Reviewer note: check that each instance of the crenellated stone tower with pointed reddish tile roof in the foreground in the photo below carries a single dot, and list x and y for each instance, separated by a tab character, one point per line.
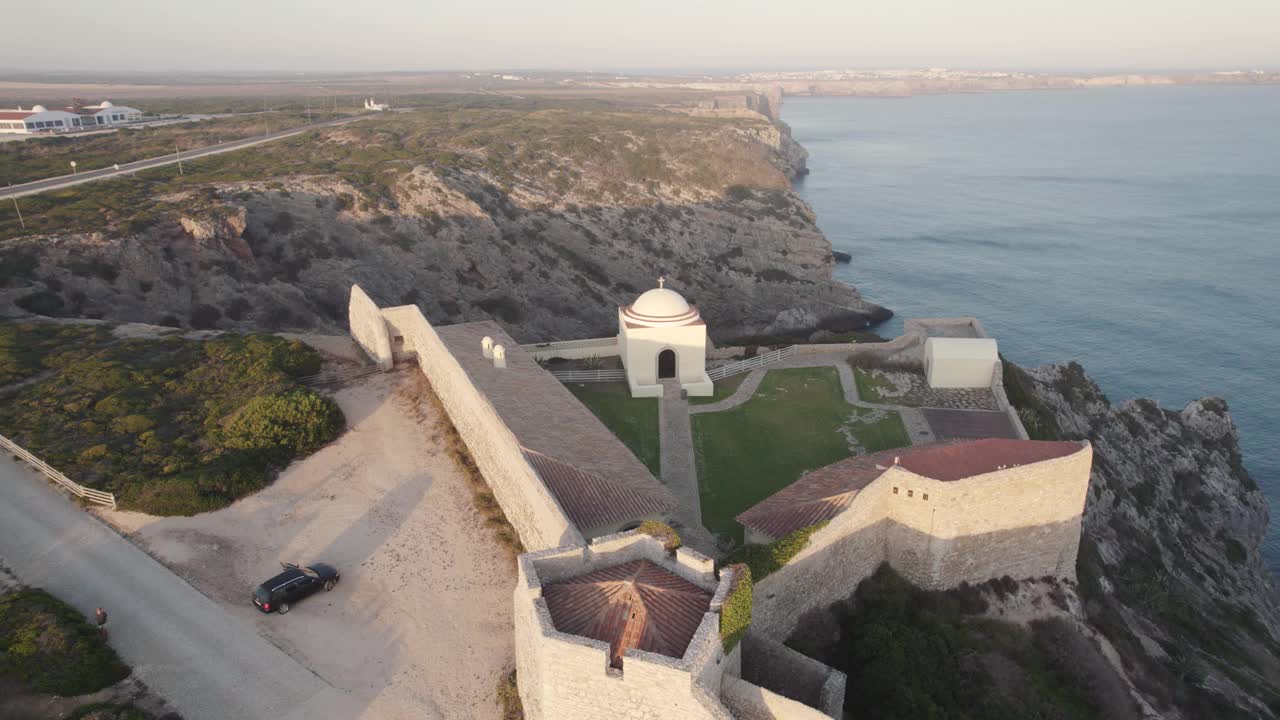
623	630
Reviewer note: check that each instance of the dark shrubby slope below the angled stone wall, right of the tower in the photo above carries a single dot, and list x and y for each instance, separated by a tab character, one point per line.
913	654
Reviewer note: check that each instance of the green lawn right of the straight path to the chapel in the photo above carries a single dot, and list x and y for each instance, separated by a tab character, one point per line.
790	426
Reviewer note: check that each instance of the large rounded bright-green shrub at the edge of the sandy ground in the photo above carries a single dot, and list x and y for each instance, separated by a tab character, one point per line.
294	423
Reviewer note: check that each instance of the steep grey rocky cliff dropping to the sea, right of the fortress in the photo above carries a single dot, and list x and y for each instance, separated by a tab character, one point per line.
1171	566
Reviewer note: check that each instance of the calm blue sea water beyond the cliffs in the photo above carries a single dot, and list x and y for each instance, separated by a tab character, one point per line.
1133	230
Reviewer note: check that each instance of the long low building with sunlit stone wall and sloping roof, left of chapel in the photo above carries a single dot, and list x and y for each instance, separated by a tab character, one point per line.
559	473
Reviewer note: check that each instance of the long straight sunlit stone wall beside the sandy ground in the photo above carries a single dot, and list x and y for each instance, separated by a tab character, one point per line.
532	509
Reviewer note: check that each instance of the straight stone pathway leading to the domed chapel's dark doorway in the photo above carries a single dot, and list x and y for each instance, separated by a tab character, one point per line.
680	468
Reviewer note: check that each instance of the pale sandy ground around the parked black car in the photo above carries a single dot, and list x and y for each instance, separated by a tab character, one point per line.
420	625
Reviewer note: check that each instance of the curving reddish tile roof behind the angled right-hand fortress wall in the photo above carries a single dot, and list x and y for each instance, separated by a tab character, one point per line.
824	494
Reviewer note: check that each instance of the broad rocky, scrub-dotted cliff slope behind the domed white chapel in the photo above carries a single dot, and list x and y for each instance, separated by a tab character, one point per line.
548	236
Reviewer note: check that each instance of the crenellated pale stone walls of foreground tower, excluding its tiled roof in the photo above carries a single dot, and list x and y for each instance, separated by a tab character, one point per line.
568	677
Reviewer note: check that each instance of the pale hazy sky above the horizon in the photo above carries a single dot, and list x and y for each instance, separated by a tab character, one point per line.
639	35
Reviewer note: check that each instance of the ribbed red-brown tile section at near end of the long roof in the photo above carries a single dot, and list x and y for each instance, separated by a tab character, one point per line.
593	502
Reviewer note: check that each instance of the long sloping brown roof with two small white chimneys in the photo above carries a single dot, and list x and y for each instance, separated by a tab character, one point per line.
546	418
